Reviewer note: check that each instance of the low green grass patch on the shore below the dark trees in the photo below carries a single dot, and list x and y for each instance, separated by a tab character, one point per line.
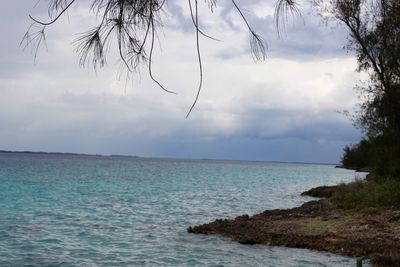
361	194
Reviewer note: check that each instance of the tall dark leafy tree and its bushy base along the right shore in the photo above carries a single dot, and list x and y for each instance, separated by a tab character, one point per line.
374	28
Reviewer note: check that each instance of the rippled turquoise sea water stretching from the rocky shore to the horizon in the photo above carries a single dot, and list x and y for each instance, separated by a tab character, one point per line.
116	211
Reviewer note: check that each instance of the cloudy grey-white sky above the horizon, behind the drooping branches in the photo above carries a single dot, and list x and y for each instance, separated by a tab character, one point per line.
283	109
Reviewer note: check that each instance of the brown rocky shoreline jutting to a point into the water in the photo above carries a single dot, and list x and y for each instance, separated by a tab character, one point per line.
318	225
